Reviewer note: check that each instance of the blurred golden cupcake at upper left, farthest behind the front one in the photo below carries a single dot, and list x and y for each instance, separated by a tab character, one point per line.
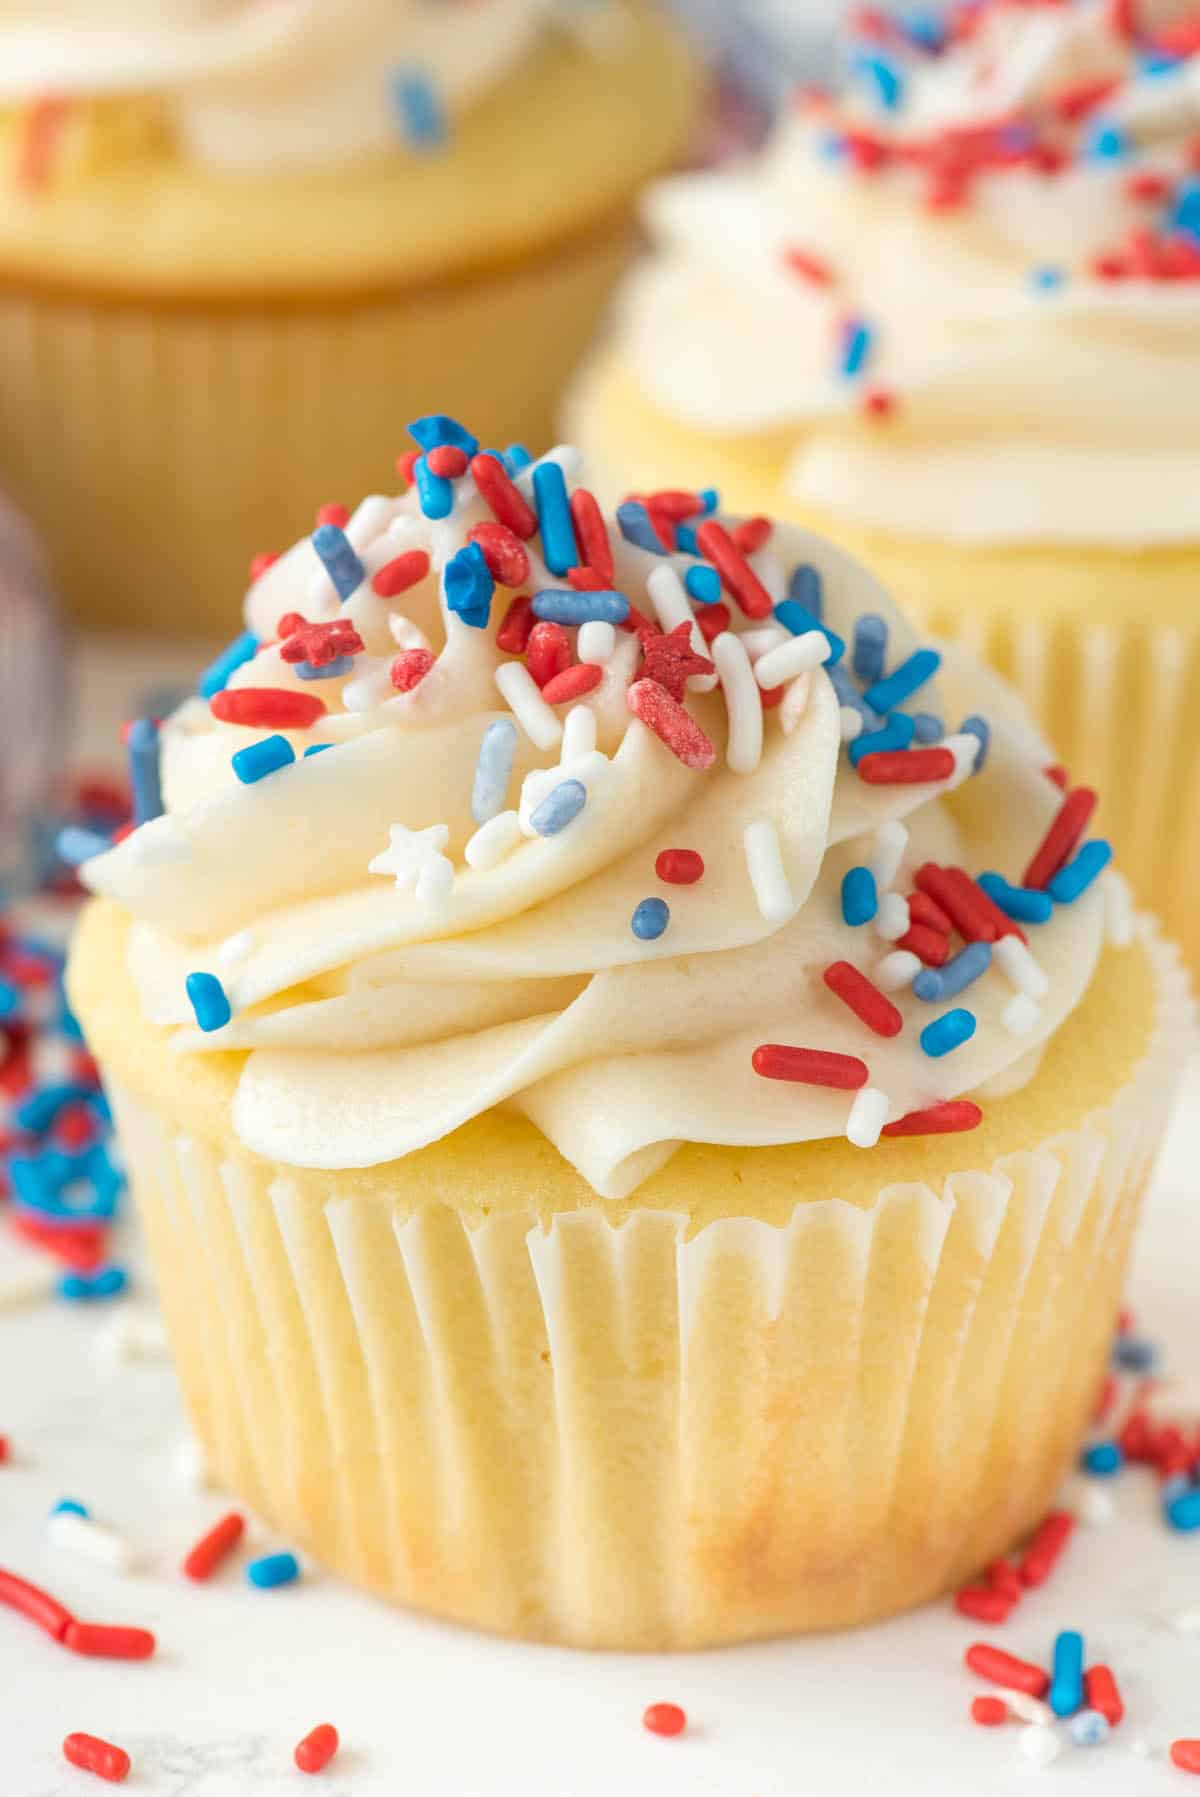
242	243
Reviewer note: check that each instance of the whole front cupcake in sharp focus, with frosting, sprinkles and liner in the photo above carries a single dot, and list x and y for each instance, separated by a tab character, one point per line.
637	1081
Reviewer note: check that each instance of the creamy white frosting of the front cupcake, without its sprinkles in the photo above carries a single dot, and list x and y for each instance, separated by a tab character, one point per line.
378	1020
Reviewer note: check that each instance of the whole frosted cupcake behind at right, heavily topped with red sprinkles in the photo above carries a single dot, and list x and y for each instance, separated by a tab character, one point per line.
953	321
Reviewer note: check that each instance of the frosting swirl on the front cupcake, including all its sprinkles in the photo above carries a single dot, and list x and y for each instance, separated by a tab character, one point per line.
655	828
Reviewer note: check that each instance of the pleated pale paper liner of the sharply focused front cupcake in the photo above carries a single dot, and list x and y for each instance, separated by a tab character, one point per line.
624	1437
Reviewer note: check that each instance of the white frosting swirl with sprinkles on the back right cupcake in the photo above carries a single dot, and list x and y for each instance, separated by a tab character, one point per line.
1041	387
